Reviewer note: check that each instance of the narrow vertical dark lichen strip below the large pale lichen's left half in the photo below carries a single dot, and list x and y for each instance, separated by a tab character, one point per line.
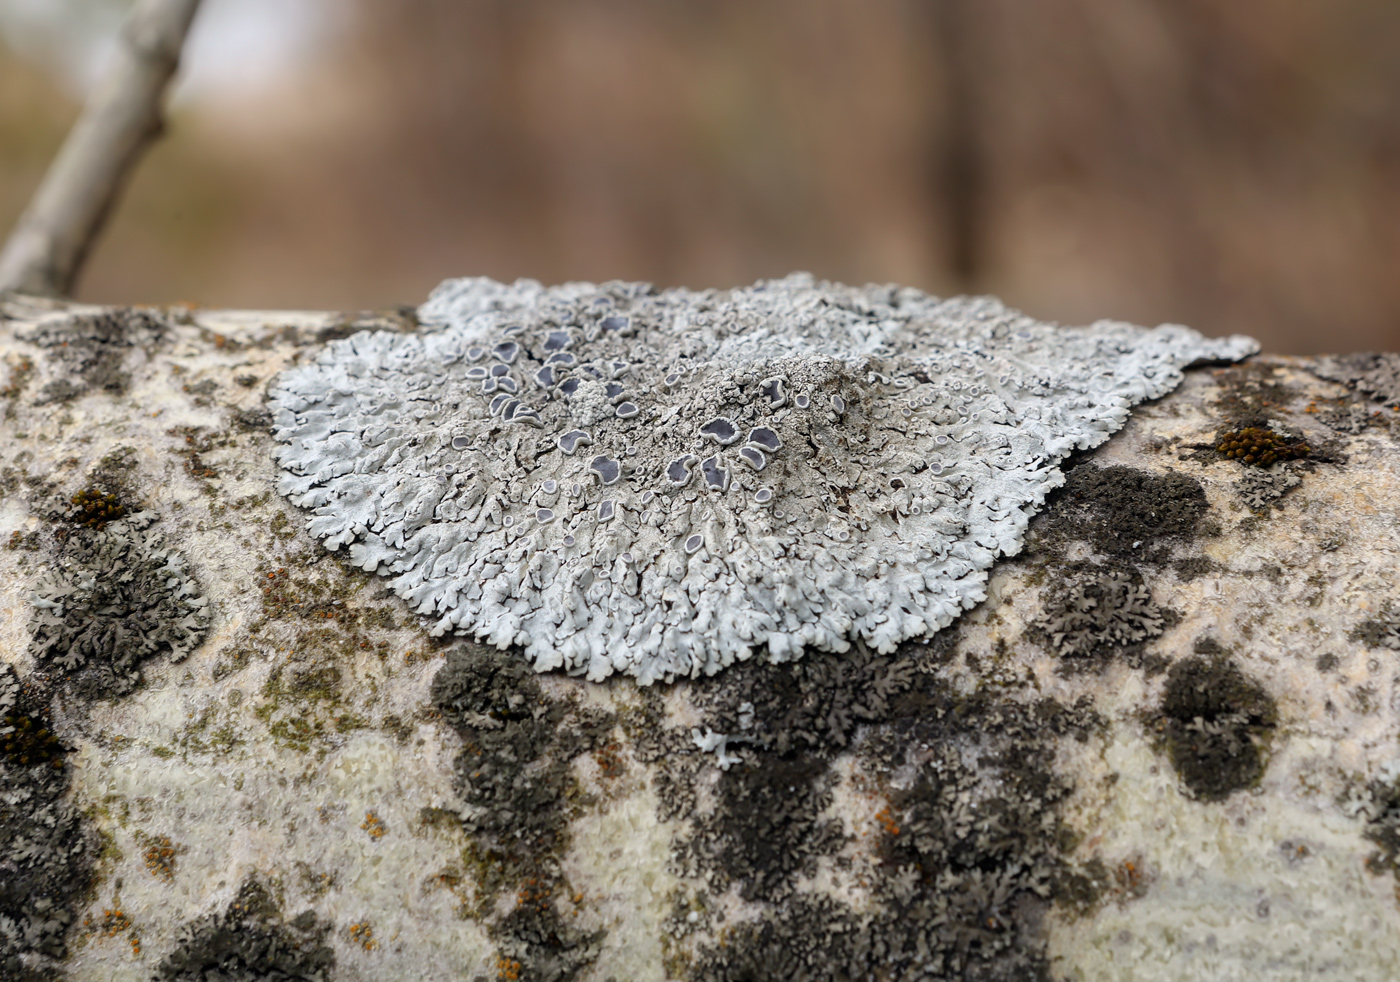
514	774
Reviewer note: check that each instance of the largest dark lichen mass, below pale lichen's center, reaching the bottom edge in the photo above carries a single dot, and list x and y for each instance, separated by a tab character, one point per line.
969	837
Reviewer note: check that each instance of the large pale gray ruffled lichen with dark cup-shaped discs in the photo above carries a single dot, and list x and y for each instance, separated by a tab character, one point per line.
618	480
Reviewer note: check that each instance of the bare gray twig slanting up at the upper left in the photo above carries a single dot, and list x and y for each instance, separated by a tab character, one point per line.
124	116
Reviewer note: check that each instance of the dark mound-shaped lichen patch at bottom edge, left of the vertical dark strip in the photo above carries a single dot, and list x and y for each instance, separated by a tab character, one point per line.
250	942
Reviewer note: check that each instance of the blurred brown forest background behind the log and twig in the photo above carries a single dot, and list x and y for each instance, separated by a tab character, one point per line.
1230	165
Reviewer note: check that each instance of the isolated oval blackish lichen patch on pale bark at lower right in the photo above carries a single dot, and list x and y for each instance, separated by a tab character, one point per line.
1217	725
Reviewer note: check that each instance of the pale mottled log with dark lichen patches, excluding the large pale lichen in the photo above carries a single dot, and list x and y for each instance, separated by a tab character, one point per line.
1165	746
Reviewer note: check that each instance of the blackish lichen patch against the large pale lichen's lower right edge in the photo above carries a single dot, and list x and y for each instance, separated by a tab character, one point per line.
1123	512
